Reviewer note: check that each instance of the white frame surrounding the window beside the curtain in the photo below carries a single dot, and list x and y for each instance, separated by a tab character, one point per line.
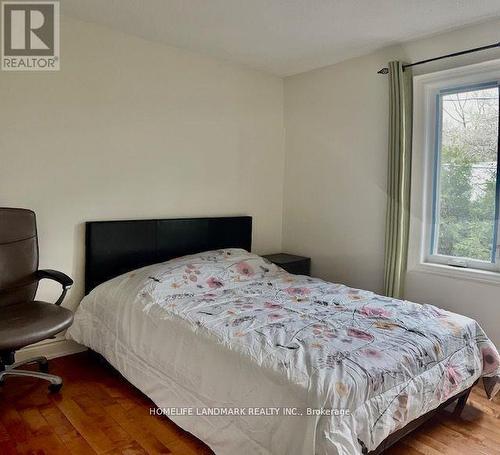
425	90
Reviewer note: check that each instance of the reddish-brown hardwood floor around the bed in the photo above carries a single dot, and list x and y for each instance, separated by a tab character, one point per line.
98	411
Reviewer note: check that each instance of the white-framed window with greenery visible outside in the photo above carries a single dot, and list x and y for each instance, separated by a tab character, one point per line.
455	195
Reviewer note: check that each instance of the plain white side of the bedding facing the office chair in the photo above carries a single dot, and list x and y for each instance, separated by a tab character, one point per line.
178	368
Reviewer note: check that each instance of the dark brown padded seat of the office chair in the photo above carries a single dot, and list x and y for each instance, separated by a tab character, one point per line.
26	323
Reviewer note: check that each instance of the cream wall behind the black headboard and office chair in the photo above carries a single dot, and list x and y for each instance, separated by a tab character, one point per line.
134	129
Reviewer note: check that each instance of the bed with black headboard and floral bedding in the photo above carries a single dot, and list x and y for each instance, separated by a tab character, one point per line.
254	360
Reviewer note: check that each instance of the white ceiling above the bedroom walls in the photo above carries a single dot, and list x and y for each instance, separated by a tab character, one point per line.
282	37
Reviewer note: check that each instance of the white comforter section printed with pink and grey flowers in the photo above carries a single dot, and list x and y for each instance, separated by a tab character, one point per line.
381	362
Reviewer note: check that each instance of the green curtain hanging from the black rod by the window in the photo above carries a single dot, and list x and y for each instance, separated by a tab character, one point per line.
398	180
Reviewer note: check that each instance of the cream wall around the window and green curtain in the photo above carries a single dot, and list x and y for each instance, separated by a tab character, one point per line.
336	122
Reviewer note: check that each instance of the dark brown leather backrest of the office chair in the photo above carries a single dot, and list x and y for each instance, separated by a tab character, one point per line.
18	256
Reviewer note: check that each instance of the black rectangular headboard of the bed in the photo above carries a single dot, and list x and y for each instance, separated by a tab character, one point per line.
116	247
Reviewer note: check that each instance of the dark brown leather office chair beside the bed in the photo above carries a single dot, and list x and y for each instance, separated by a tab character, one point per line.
23	320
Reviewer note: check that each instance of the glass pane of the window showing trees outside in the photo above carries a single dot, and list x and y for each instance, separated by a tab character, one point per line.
466	174
